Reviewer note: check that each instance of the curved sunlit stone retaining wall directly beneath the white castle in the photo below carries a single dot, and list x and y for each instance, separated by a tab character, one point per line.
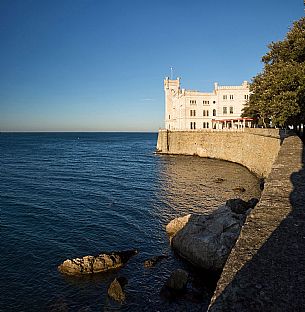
255	149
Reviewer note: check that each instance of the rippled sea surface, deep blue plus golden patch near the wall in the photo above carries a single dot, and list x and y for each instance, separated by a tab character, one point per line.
66	195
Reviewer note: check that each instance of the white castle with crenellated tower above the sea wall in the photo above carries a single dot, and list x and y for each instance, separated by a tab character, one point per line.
191	110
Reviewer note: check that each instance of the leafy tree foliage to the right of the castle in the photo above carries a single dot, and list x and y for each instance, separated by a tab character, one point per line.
278	93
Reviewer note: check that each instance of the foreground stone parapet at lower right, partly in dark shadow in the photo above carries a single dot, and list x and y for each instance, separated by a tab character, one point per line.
271	275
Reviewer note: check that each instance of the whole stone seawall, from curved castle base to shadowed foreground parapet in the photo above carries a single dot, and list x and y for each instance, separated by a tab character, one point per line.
265	269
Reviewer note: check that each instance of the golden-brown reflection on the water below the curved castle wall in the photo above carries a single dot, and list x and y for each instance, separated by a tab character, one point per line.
191	184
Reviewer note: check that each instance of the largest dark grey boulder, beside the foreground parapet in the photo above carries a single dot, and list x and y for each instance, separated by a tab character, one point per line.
206	240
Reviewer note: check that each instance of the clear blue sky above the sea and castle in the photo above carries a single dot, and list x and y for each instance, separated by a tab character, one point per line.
98	65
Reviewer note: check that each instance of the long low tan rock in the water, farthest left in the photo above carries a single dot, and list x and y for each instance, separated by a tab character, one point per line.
96	264
